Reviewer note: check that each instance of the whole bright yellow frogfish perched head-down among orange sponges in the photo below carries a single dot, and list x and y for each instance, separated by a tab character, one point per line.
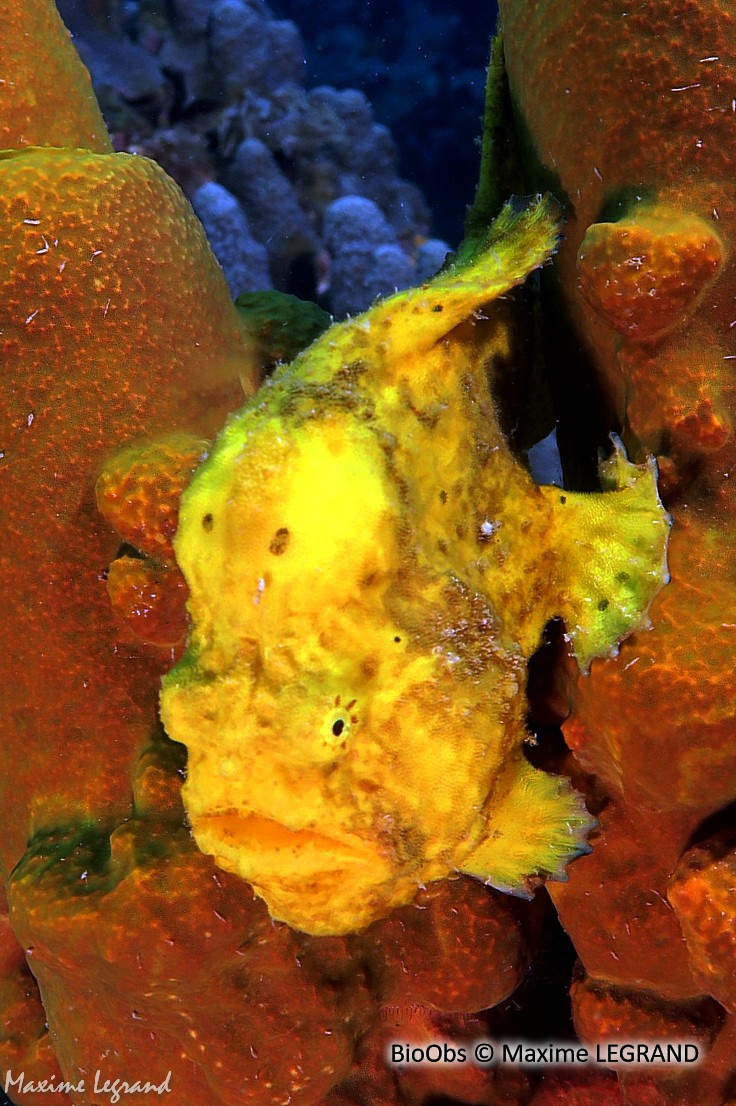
370	571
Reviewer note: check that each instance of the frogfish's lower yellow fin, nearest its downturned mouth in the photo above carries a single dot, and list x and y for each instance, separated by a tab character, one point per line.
536	830
